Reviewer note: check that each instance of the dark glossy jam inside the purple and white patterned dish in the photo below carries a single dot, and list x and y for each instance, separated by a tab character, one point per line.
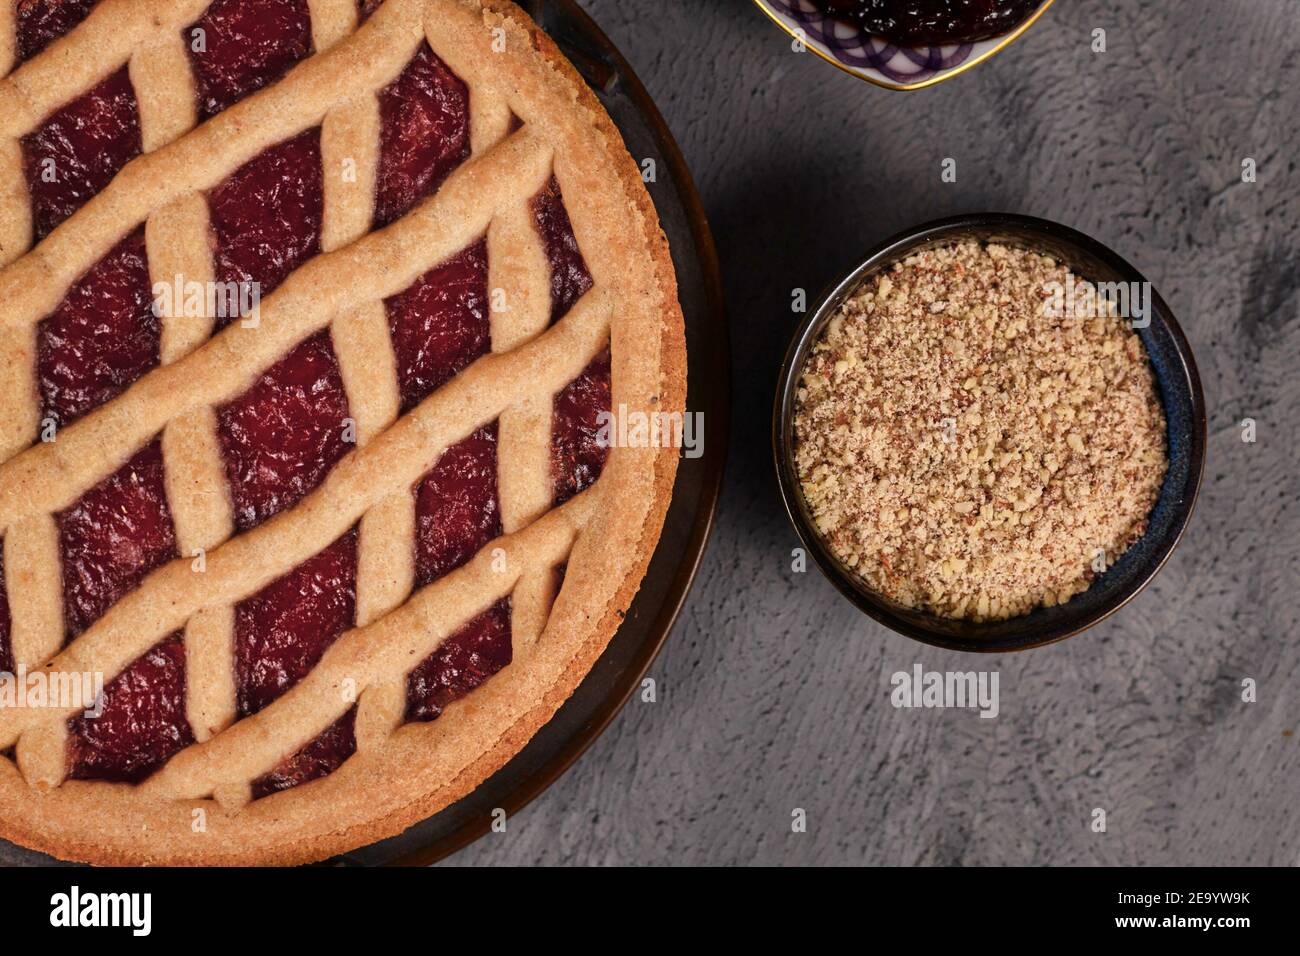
924	23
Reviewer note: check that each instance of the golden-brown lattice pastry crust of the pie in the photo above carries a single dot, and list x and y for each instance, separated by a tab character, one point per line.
530	118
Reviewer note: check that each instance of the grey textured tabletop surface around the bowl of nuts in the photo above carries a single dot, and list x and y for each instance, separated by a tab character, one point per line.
774	693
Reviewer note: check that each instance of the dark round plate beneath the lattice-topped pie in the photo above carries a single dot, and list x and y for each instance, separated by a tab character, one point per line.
690	520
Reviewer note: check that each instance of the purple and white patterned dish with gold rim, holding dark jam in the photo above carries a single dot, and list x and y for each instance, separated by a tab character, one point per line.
876	59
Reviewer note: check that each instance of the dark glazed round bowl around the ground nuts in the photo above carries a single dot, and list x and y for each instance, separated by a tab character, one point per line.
1185	412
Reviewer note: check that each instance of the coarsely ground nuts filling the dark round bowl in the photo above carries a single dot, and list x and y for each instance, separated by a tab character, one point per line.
965	449
